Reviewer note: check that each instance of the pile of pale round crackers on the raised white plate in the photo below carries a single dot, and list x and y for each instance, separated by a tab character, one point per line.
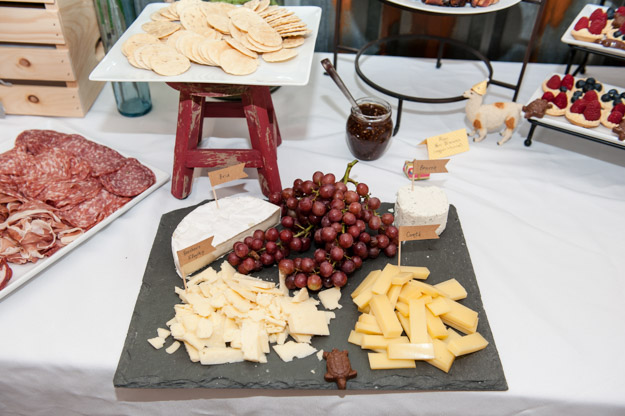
215	34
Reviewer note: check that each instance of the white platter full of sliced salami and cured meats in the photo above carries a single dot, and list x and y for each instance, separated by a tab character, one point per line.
58	190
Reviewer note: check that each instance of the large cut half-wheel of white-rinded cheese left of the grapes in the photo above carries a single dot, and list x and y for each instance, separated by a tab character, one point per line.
235	219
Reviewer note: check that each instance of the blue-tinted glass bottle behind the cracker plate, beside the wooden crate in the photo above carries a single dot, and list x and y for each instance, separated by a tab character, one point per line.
114	16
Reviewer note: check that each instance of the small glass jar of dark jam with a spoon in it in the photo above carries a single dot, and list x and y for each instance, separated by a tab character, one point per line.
369	133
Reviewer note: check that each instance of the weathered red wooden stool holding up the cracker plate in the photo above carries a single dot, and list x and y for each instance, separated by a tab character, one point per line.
255	105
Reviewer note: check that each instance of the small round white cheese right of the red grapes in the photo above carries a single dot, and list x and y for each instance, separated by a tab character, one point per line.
425	205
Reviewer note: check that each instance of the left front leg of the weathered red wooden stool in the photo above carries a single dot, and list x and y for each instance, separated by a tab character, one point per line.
188	135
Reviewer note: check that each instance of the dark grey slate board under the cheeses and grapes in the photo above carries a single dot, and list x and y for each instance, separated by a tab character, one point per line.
142	366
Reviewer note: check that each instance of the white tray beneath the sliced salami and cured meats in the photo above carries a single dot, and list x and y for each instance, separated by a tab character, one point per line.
22	273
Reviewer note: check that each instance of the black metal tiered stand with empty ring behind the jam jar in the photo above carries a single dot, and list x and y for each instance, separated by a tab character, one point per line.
515	87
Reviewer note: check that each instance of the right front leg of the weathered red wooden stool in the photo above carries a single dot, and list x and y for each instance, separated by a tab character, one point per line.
262	126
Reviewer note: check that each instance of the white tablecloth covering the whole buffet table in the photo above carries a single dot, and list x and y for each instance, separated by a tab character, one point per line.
544	226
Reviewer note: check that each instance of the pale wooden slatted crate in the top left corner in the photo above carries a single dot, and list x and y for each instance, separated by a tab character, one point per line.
48	48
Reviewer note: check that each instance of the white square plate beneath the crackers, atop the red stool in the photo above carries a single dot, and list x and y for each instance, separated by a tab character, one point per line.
115	66
